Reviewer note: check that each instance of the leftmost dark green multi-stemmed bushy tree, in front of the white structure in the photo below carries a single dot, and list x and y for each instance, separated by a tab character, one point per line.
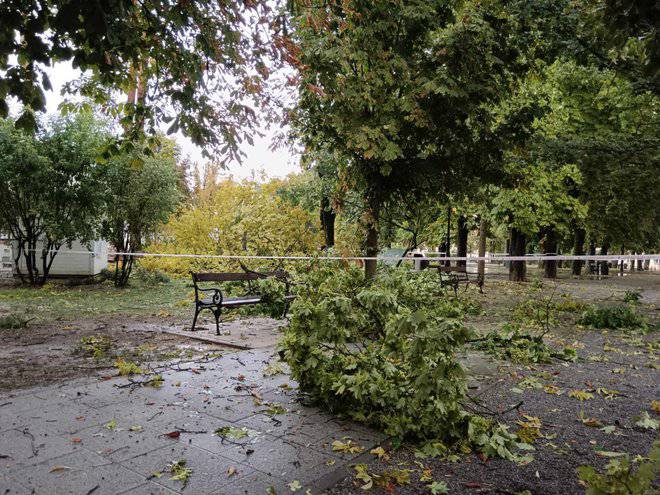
51	188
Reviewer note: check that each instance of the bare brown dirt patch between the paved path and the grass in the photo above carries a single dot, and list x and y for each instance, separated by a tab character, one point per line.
63	350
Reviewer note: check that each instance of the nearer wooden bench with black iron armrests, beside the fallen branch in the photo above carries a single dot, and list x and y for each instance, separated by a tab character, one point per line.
212	299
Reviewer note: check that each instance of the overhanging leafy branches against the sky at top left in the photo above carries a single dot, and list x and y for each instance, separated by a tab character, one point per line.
173	58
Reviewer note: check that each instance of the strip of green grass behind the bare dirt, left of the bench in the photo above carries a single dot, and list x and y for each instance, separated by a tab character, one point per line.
58	301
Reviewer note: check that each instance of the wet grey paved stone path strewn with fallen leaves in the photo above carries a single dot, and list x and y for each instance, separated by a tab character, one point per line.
110	436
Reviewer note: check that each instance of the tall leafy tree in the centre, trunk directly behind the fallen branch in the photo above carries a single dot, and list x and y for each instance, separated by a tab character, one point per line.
398	90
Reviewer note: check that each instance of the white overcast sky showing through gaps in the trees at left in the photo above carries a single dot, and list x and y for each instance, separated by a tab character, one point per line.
258	157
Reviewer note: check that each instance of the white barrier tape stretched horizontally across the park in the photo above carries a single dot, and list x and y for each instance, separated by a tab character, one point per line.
533	257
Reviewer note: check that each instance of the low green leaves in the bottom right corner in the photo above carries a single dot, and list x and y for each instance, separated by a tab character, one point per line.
624	476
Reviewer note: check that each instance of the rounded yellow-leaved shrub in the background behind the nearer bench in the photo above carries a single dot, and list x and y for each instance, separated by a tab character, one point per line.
231	217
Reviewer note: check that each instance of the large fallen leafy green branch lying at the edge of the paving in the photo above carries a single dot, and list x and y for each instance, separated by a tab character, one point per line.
382	353
